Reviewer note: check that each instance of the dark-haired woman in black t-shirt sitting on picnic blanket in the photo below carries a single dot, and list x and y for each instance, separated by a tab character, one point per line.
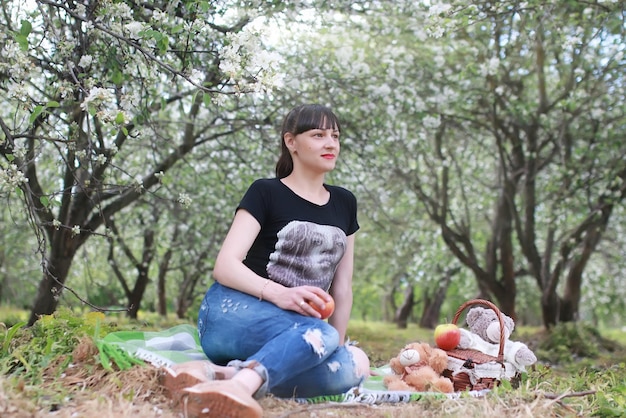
290	246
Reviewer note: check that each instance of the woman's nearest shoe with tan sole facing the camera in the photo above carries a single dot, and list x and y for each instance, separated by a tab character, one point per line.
223	399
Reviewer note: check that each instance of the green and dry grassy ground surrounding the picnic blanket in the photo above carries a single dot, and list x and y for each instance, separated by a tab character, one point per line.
55	370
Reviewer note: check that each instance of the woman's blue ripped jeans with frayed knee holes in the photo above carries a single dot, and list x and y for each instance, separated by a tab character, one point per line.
300	356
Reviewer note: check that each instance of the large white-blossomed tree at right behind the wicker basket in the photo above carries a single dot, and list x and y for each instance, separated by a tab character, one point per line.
500	120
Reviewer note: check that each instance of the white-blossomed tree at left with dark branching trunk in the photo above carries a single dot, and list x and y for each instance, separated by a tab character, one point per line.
103	99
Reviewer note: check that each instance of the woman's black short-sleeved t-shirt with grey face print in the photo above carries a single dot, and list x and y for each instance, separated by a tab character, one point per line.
300	242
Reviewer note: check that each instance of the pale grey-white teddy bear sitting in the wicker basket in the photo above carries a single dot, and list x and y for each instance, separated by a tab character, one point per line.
484	336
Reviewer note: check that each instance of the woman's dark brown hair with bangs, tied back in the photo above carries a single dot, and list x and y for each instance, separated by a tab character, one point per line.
301	119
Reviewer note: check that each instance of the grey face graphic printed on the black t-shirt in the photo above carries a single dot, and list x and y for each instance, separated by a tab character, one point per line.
306	253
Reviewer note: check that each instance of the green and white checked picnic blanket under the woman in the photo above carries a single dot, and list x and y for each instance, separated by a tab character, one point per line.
181	343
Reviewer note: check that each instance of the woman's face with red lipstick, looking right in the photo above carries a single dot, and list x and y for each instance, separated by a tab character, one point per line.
315	149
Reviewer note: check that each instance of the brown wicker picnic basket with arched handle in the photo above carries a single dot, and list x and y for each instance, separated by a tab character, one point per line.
474	370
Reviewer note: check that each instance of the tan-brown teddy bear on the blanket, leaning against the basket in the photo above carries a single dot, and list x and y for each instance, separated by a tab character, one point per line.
418	368
